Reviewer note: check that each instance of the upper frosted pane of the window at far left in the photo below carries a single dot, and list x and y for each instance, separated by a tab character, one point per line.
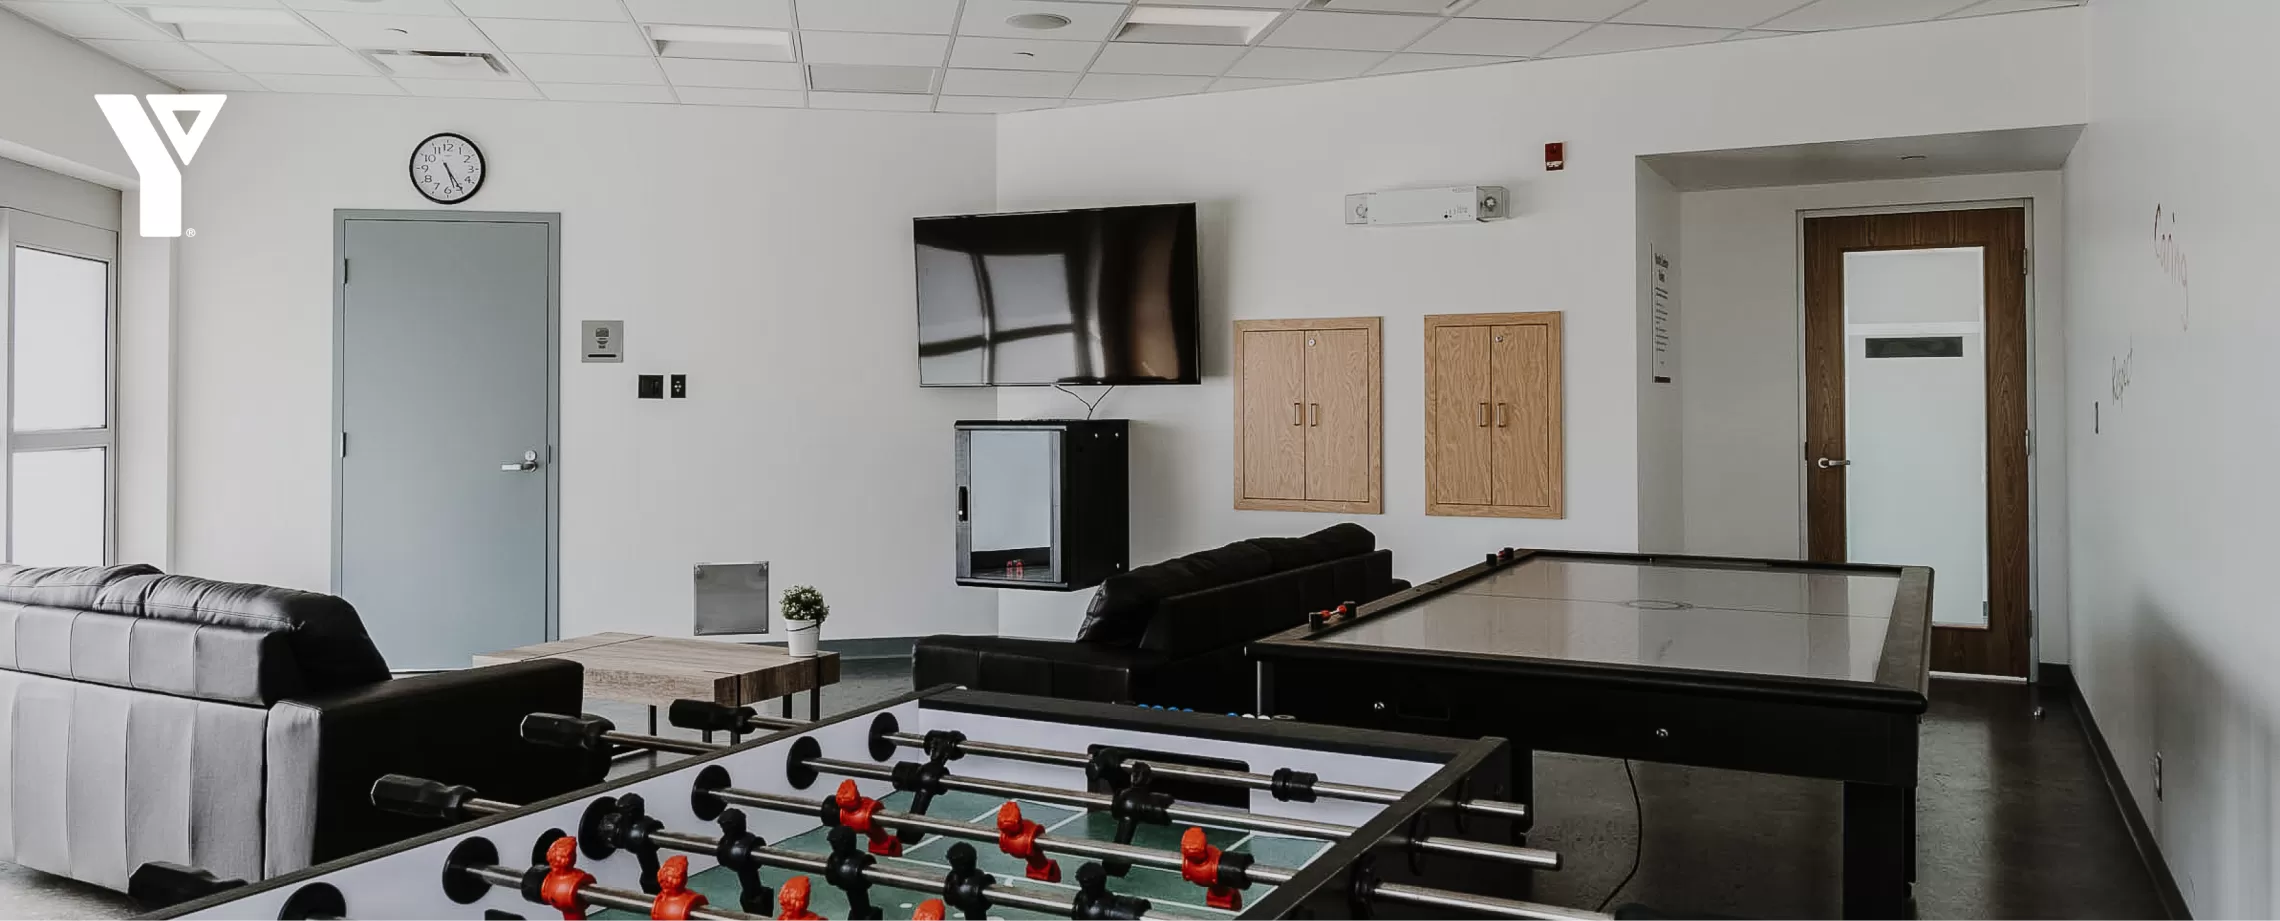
60	359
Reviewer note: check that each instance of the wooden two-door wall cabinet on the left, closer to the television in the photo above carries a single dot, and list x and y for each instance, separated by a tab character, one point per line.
1308	416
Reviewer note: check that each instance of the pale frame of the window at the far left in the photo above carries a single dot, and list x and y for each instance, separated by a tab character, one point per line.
54	236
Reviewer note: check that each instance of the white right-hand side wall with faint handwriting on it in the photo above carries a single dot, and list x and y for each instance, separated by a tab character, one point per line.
2174	491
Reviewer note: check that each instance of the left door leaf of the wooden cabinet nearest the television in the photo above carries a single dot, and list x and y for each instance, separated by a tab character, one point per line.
1273	405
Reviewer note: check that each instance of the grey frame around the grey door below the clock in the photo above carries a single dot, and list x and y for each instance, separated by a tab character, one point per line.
555	373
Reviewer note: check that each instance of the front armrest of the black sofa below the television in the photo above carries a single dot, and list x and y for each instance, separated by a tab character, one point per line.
1050	669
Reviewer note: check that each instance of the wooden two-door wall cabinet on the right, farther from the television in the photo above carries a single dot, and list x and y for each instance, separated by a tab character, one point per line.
1492	416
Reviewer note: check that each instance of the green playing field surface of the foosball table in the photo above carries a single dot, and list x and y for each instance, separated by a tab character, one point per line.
927	858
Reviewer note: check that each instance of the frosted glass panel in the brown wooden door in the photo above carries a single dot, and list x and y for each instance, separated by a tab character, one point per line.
1916	421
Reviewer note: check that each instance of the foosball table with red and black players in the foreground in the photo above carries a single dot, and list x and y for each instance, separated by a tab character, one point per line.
947	804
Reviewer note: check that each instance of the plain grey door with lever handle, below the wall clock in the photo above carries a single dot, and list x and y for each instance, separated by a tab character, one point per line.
446	462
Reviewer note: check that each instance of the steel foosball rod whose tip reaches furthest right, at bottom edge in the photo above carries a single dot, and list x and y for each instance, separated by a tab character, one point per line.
1506	908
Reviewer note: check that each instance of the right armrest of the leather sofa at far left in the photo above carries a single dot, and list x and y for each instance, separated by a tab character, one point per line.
459	728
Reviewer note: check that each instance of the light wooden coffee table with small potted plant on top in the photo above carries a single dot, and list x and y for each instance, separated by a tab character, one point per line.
665	669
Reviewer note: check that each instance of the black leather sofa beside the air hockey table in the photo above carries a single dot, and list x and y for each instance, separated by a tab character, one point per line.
1173	633
